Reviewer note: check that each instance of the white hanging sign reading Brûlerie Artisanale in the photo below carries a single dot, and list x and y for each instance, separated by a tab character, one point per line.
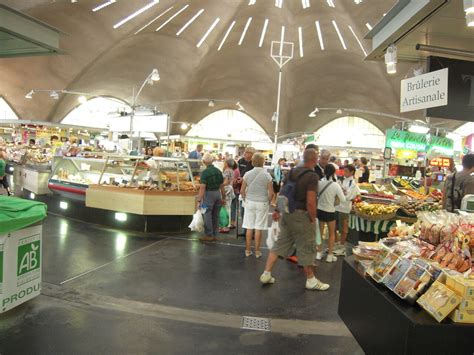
424	91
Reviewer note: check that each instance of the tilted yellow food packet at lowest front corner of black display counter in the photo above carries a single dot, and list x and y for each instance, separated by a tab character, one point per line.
439	301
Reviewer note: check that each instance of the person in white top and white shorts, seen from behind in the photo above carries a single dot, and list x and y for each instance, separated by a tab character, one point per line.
257	192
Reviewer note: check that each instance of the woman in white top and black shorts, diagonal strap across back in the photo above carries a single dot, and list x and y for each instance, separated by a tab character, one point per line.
328	190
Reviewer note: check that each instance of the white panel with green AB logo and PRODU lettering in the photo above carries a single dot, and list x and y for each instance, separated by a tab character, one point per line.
20	269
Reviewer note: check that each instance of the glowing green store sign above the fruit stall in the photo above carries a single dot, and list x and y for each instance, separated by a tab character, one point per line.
397	139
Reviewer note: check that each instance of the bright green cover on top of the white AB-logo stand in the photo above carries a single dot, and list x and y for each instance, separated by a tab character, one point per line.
17	213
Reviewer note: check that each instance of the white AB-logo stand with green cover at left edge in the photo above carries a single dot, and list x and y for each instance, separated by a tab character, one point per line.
20	250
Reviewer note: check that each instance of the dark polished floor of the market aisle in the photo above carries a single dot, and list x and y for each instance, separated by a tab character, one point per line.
113	292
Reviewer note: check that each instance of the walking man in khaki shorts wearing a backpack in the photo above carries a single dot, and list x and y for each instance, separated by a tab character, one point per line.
299	227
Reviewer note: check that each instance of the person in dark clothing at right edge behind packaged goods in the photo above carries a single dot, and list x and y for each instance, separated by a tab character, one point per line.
459	184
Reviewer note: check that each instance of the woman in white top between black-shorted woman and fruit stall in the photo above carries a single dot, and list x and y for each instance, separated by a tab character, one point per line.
343	210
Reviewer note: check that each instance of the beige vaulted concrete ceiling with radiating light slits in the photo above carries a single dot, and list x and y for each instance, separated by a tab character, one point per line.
102	60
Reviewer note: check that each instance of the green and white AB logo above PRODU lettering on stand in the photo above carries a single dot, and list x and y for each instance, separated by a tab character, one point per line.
29	259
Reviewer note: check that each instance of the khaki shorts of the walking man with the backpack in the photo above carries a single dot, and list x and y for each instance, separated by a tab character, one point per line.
296	229
